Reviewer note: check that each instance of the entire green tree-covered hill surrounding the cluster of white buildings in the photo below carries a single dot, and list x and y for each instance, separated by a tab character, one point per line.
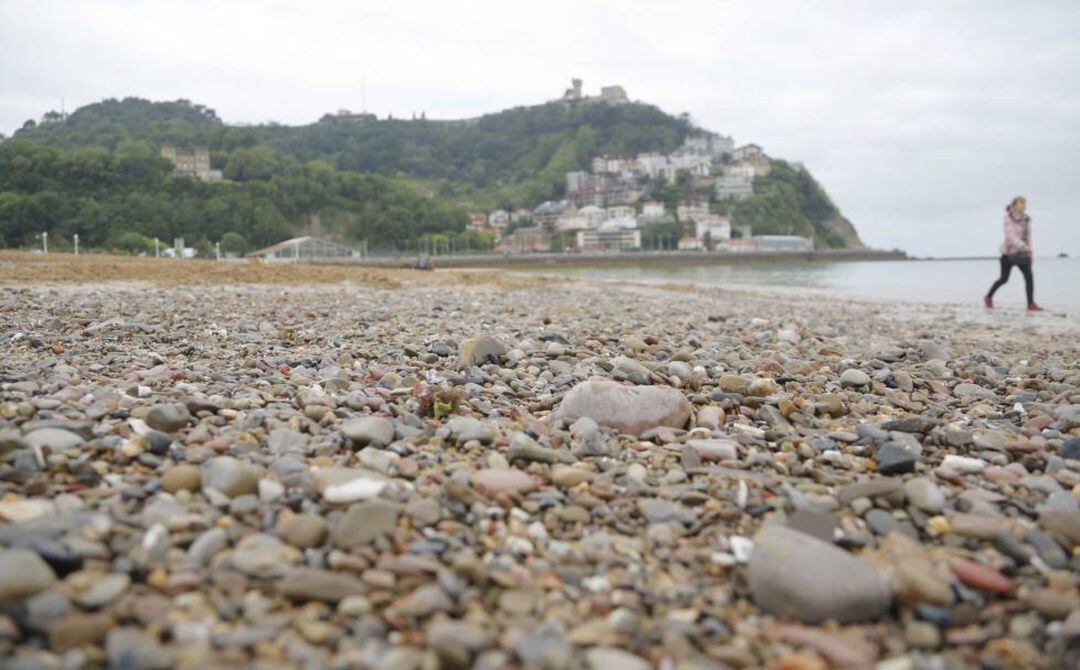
353	178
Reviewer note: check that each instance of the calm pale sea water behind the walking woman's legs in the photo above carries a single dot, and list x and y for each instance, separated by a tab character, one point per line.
1057	280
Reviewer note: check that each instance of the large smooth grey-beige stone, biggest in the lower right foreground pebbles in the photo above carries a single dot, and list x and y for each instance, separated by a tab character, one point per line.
796	577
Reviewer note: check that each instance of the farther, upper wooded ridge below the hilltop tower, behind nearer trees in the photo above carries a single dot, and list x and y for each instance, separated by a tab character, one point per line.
514	158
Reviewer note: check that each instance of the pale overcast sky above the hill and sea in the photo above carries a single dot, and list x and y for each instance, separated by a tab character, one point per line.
922	119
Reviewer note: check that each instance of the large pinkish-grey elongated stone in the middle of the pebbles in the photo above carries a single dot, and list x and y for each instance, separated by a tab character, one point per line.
631	410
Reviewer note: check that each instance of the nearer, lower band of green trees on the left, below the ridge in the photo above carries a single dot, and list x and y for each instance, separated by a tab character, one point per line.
124	198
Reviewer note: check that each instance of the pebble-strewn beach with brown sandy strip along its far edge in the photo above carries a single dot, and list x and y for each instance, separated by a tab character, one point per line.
239	466
